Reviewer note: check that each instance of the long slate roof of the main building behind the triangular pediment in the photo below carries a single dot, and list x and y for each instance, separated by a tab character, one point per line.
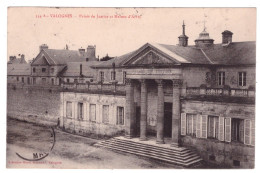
235	53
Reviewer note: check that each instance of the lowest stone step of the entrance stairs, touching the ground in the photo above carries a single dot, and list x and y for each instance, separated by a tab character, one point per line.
153	157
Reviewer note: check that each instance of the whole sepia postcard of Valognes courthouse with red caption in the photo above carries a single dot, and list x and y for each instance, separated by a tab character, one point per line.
131	88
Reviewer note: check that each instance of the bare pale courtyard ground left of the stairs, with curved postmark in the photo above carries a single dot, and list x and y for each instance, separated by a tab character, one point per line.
70	151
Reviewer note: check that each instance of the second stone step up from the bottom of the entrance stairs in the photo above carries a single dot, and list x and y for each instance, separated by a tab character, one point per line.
152	153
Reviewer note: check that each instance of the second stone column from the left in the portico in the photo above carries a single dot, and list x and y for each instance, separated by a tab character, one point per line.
143	119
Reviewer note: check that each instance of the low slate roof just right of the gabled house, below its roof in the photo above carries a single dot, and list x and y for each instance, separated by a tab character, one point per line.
73	69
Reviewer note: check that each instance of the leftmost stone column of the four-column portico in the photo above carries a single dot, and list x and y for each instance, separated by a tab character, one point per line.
129	109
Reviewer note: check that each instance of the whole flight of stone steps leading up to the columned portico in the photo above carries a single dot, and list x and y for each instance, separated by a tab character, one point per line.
175	155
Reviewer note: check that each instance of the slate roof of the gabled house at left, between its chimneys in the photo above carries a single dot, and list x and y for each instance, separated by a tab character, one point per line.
63	56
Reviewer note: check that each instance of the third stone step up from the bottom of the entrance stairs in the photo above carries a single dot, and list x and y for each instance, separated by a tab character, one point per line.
154	150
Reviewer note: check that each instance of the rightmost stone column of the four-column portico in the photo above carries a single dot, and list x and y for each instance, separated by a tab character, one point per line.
176	83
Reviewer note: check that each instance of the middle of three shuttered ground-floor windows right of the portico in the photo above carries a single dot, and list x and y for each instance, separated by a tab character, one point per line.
213	127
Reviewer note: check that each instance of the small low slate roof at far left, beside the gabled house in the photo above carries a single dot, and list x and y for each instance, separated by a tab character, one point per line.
19	69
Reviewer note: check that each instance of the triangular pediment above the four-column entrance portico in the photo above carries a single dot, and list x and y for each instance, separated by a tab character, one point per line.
150	55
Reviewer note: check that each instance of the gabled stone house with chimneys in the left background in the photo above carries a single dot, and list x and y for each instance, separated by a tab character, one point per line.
47	67
